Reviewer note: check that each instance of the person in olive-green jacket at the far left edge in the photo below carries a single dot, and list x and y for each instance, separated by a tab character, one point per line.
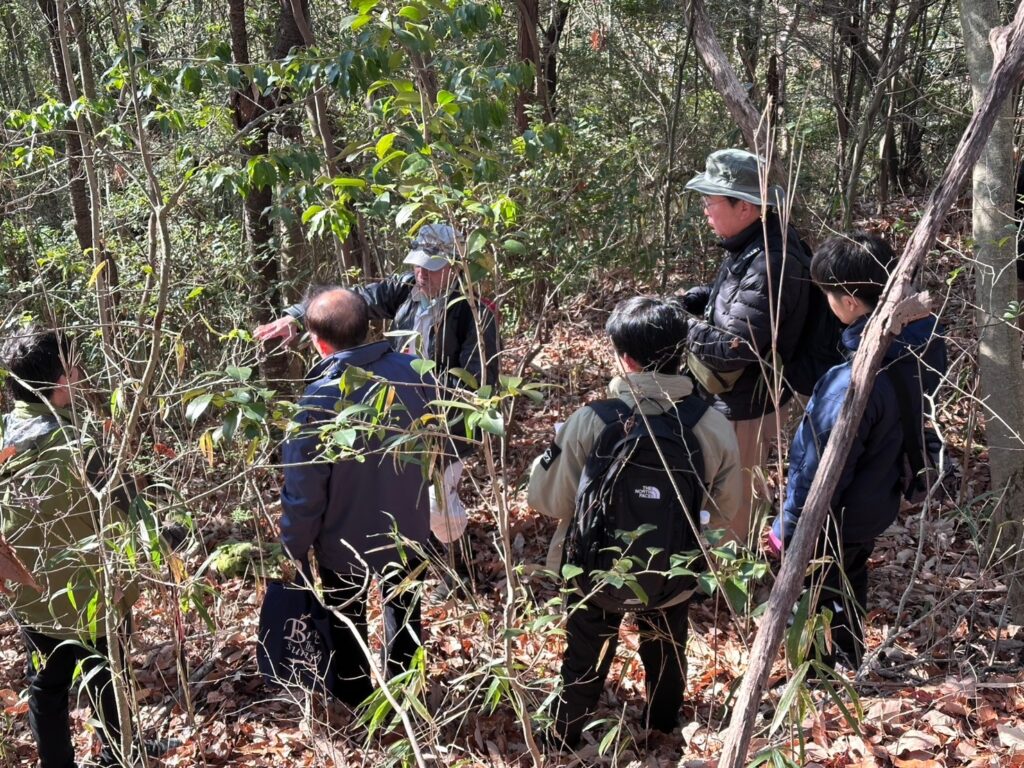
51	519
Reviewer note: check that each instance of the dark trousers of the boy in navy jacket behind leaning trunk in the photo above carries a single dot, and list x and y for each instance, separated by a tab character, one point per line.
844	592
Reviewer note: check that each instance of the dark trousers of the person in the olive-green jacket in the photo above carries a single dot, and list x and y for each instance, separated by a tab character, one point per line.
52	672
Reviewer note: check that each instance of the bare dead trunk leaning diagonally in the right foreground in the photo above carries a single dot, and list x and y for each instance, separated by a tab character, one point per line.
1006	74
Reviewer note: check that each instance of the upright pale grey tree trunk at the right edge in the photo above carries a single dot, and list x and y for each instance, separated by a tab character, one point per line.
996	285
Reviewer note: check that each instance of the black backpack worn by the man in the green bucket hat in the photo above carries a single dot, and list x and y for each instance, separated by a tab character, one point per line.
821	345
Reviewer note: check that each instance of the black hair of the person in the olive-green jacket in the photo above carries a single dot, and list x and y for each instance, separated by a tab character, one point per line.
36	359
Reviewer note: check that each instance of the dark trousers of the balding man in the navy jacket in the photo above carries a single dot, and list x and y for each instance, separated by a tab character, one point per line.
350	595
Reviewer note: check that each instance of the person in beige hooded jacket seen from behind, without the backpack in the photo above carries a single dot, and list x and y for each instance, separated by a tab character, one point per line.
649	337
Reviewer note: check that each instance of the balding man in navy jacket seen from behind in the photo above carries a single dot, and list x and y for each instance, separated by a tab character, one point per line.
351	511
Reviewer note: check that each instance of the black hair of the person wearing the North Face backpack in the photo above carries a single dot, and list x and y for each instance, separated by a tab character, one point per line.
652	331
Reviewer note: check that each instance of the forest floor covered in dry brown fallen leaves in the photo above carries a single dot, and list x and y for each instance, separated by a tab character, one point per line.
947	688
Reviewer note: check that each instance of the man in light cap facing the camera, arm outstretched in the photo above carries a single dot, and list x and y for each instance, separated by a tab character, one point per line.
436	321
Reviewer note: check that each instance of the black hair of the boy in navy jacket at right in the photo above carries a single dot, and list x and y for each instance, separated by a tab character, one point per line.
857	265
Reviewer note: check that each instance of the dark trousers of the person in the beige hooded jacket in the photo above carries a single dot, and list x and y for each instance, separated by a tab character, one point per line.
592	636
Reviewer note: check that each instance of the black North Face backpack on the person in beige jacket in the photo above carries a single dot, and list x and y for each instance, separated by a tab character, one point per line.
628	506
